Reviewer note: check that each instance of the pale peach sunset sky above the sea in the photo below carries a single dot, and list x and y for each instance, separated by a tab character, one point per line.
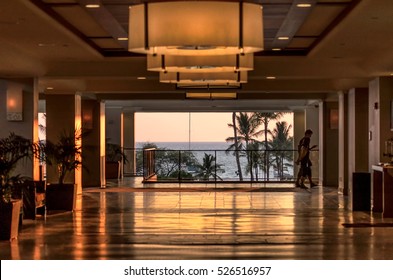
174	127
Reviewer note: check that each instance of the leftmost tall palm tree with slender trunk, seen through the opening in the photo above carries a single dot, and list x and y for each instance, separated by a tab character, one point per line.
247	132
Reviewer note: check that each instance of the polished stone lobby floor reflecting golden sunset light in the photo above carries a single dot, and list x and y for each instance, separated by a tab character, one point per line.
132	221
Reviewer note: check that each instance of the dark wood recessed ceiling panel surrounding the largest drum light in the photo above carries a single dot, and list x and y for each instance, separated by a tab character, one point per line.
102	27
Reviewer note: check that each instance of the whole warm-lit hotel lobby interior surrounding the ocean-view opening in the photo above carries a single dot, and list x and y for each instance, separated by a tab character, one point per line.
94	65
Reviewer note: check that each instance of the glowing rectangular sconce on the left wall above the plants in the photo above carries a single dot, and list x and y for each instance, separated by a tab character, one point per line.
14	102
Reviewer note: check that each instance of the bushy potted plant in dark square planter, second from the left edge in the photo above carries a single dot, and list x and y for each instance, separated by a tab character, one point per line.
66	156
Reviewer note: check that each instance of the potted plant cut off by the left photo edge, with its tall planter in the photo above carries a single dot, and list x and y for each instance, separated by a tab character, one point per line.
13	149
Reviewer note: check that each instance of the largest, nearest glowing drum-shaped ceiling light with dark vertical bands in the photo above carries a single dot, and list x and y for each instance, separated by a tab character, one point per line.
195	28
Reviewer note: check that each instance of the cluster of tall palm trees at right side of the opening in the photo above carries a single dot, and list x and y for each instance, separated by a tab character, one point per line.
261	155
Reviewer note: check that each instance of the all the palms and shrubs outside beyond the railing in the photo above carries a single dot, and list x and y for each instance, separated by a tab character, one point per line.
256	149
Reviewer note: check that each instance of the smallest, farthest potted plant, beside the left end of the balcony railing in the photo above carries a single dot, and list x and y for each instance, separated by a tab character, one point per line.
114	156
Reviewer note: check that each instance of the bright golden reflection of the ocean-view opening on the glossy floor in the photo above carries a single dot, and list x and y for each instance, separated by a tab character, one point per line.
209	213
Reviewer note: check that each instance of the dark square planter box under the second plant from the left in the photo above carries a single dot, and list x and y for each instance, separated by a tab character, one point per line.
60	197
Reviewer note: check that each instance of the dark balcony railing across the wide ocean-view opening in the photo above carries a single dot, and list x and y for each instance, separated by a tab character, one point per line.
161	165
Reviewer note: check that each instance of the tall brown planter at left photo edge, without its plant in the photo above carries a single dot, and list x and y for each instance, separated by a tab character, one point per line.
9	219
